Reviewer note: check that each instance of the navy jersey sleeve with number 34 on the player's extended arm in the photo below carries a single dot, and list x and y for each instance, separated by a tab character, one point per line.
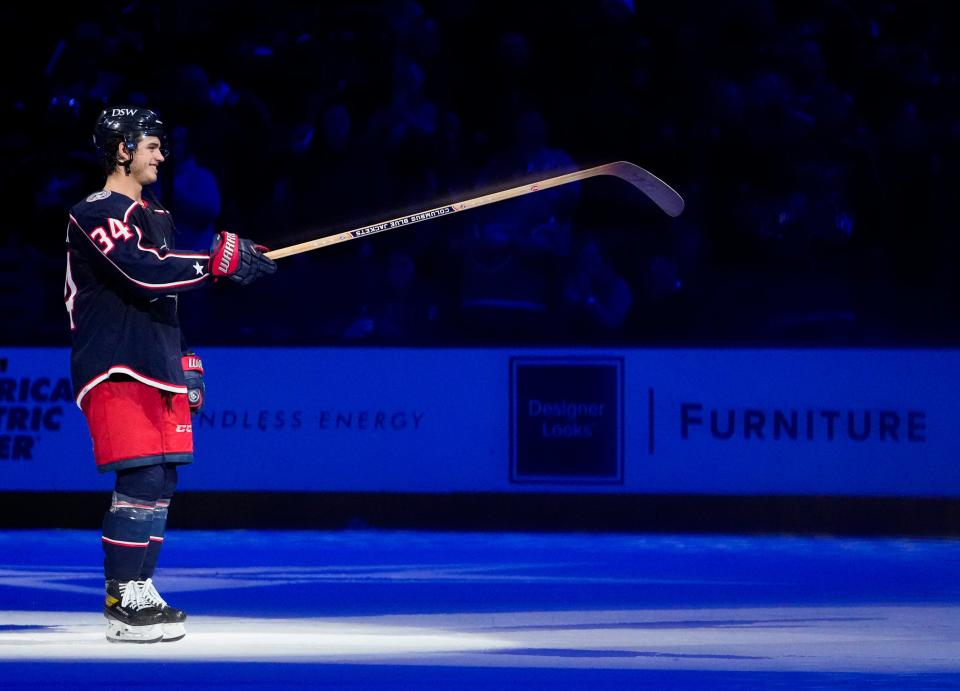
119	238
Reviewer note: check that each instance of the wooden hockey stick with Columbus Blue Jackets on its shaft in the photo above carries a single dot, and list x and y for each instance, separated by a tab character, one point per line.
656	189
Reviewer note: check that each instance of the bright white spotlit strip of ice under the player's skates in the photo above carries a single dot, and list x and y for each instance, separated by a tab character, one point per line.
902	639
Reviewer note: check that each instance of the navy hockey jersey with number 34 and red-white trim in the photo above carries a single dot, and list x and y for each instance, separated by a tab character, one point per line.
121	292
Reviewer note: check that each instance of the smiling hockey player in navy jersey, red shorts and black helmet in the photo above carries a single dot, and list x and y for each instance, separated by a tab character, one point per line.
132	379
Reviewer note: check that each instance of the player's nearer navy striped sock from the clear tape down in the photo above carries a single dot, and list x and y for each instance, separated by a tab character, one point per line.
126	534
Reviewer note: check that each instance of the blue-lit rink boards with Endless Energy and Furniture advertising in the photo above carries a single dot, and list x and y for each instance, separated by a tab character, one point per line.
751	422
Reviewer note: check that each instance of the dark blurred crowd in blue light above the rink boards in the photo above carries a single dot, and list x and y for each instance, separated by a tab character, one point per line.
813	143
